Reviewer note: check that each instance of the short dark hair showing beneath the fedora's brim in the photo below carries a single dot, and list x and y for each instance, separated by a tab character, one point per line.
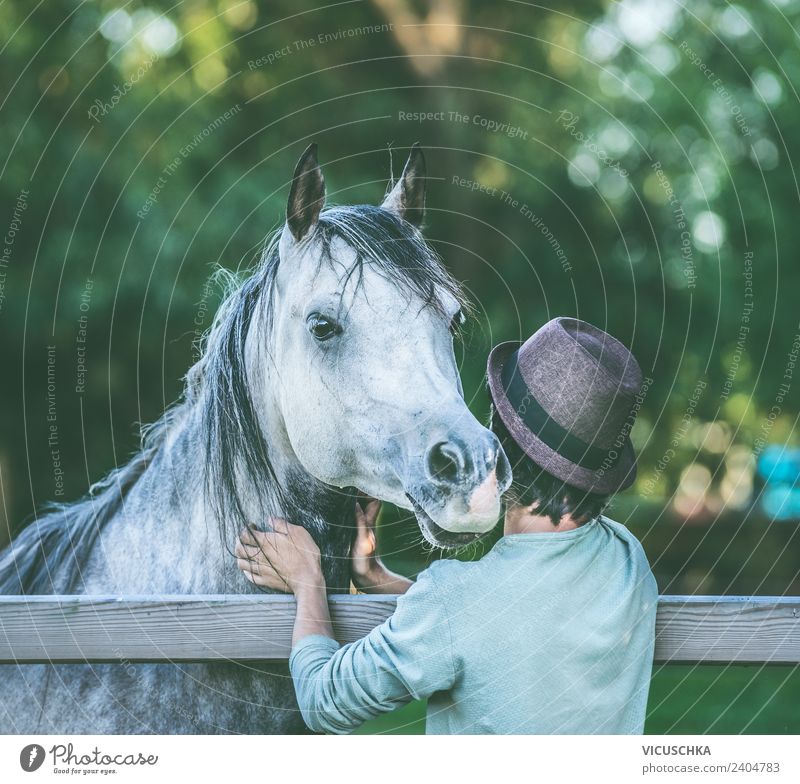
533	486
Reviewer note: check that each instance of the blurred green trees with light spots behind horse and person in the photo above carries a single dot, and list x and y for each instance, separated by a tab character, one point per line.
627	163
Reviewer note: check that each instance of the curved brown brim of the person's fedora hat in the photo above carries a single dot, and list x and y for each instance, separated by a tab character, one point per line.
603	481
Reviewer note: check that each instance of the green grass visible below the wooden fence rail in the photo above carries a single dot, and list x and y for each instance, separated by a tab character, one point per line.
683	700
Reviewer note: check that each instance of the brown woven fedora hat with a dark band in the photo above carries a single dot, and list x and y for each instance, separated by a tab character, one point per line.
567	396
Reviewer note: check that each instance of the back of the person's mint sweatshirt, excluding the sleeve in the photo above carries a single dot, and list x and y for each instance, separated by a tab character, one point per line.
551	633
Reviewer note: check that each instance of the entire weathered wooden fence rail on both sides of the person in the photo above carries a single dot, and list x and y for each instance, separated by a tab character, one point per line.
63	629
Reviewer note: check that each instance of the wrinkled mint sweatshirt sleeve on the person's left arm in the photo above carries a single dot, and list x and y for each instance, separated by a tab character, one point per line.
407	657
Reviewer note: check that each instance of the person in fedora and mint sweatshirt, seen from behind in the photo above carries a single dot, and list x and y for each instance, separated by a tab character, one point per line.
550	632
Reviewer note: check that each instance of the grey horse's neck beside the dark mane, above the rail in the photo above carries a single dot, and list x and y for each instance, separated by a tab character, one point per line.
172	514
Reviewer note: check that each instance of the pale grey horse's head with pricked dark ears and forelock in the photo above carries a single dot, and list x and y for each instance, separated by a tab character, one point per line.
363	316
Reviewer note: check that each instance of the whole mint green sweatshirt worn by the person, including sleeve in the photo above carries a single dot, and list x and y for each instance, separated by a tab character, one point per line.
548	633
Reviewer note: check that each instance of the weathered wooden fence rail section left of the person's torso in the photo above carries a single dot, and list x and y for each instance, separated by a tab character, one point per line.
167	628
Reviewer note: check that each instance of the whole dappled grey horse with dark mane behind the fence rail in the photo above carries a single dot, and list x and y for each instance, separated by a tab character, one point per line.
331	368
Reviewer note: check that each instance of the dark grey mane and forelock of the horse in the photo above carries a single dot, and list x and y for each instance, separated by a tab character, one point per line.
47	556
